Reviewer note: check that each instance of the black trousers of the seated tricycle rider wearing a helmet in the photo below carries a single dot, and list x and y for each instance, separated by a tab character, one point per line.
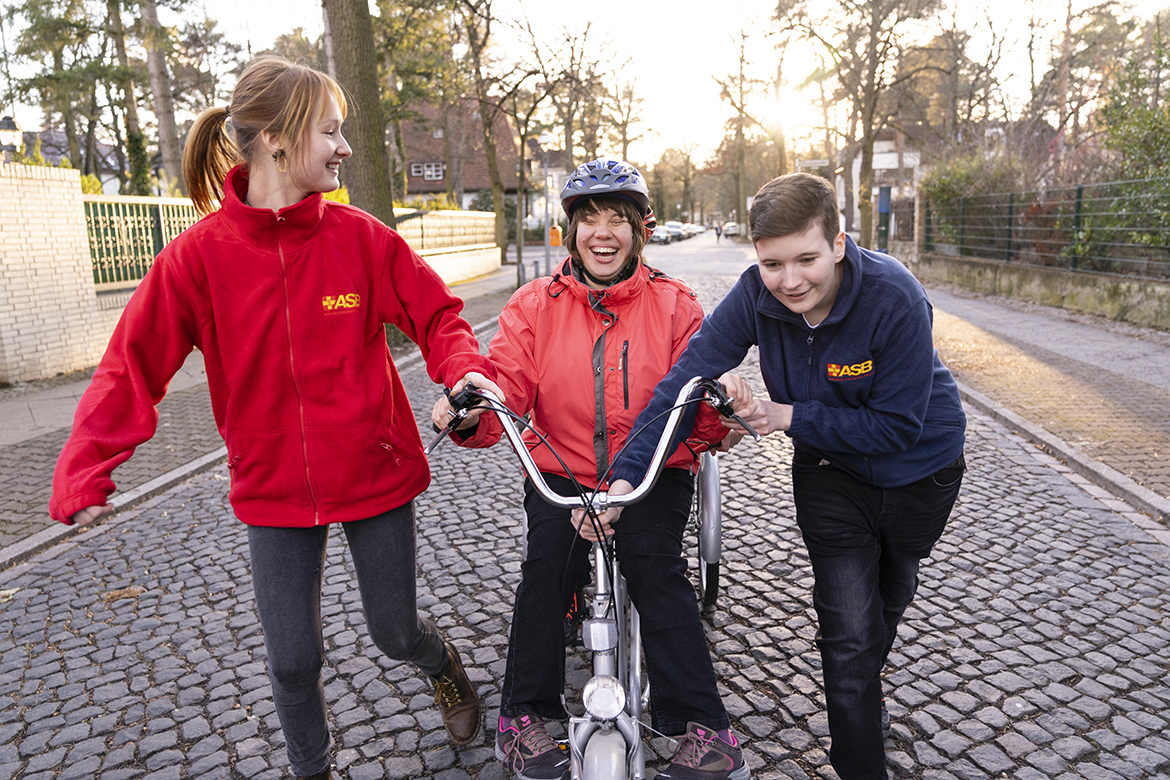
650	547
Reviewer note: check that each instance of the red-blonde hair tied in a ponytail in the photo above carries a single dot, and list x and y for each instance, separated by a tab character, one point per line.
273	95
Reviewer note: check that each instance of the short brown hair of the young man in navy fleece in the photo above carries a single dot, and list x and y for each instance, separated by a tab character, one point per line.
792	204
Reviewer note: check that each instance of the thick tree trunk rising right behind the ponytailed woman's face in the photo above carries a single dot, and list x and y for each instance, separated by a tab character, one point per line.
357	72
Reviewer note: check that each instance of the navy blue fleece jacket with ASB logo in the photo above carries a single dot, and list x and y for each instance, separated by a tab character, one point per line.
868	389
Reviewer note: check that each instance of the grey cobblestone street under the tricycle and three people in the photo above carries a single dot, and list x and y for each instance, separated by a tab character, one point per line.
1038	646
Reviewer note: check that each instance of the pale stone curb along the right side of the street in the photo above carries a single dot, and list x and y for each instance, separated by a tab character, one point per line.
1098	473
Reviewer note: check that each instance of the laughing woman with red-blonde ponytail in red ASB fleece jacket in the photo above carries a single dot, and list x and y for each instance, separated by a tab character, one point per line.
287	295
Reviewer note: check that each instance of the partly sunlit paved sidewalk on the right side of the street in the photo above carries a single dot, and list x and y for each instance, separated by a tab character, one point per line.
1114	409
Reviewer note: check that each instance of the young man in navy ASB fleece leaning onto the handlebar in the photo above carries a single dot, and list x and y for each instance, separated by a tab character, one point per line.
877	429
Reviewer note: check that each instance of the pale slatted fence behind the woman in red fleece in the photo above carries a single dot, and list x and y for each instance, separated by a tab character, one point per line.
127	233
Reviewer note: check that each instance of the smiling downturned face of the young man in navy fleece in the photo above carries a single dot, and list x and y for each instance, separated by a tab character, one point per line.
803	271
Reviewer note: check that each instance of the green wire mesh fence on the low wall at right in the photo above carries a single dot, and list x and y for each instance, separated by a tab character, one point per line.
1116	227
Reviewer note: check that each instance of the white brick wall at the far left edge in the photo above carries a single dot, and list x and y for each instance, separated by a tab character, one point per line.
50	321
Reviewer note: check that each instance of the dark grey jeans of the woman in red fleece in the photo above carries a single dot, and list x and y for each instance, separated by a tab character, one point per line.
287	568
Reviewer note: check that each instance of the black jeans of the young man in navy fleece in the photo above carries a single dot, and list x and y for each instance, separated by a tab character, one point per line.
865	544
